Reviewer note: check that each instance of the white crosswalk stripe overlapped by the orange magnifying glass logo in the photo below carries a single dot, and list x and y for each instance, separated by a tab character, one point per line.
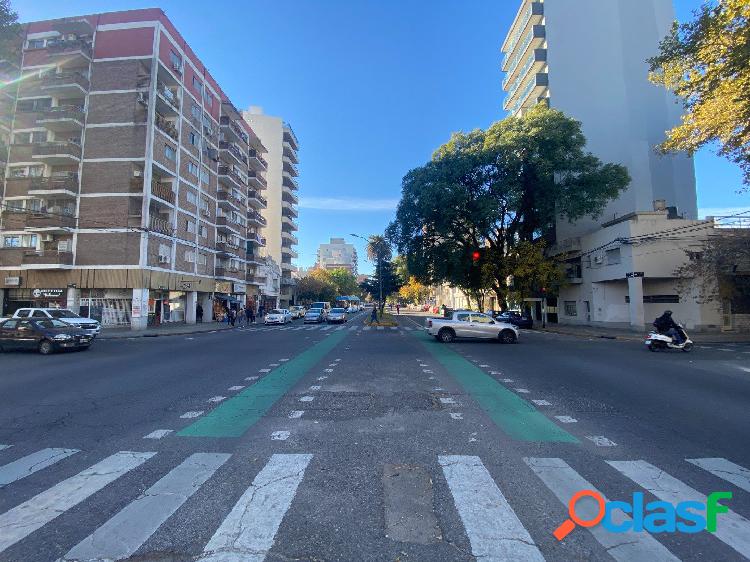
564	483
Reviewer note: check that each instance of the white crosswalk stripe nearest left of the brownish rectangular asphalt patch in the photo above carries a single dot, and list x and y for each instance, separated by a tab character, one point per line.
248	532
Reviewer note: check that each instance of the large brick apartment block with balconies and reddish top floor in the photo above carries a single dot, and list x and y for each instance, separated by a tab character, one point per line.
133	187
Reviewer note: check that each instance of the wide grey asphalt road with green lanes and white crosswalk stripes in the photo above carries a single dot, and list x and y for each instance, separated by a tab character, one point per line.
354	444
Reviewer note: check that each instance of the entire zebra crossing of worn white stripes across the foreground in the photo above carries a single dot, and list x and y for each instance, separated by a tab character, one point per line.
483	503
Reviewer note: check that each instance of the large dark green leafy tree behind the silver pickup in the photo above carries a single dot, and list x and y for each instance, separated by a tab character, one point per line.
490	191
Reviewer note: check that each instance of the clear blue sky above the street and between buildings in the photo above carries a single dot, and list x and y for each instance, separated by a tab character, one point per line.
370	87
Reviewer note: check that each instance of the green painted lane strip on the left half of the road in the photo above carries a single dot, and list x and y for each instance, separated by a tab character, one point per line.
235	416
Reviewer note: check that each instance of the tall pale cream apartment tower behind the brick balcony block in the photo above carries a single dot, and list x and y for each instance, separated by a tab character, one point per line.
281	213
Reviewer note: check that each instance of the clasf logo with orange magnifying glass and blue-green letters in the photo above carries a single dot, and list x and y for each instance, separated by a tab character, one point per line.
654	517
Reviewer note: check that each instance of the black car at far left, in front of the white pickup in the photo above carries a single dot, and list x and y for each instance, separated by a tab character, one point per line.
45	335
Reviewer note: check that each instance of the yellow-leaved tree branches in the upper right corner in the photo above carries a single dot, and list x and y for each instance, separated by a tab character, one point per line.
706	62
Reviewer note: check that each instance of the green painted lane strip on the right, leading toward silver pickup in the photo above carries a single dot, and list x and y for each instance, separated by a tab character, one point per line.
514	415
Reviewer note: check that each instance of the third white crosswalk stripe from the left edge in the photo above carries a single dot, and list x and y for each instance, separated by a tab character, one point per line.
127	531
